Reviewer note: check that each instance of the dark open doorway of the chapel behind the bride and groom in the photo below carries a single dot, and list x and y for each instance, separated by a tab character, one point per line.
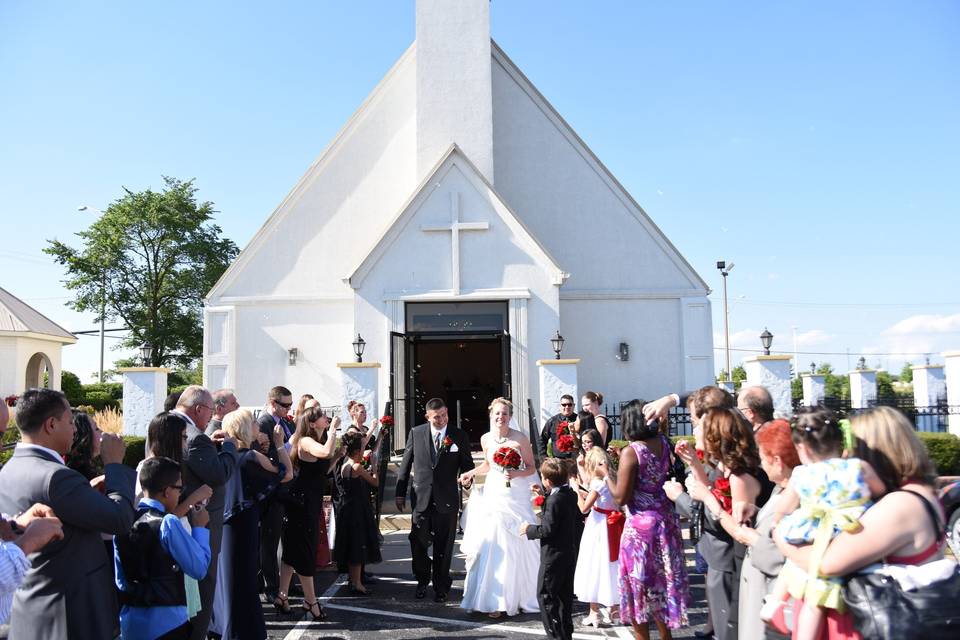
466	372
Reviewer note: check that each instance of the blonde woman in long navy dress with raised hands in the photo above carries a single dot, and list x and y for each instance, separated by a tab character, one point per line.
237	614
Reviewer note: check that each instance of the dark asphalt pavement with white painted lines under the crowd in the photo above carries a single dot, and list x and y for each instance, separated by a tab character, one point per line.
393	613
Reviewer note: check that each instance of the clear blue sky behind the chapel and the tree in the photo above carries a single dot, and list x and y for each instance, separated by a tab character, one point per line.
814	144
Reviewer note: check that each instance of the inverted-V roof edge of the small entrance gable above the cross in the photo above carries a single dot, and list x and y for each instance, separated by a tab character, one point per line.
455	157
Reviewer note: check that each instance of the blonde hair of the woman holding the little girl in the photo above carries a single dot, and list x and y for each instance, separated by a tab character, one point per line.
887	440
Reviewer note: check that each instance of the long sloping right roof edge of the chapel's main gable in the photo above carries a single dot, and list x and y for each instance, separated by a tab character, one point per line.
575	141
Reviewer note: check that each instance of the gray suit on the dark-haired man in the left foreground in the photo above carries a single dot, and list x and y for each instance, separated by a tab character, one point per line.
68	593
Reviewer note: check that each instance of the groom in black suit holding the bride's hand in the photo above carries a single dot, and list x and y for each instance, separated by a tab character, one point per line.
438	454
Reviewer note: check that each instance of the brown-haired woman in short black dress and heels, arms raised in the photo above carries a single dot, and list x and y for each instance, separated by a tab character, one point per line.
312	447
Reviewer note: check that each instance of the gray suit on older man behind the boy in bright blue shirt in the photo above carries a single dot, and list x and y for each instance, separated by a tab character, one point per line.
203	464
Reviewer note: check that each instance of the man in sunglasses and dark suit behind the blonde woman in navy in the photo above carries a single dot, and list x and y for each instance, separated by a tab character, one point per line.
279	401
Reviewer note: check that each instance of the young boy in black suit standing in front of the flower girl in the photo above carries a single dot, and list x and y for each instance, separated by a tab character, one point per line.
558	533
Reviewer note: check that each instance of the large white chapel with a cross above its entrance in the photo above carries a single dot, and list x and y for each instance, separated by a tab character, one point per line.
457	223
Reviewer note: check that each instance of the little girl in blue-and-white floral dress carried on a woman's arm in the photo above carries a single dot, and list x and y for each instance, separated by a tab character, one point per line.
827	493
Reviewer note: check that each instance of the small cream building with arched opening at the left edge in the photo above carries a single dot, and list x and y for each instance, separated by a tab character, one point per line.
30	345
